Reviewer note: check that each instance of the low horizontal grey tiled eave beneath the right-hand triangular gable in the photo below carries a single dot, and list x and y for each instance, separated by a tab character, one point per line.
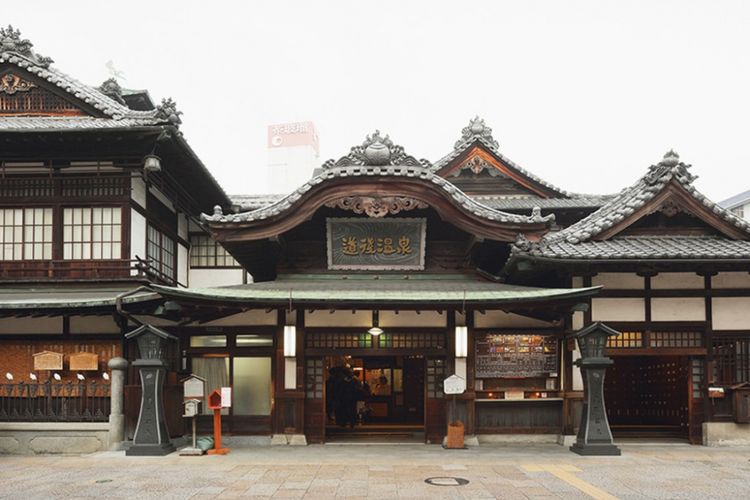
645	247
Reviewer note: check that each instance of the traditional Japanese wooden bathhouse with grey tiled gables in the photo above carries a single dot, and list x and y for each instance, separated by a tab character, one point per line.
398	270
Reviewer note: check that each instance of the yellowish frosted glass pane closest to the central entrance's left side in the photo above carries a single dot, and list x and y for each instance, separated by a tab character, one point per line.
252	386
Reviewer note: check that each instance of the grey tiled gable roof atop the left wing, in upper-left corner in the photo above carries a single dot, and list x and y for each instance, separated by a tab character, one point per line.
17	51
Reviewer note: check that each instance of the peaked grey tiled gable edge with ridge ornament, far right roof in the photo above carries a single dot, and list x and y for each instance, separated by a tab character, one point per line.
631	199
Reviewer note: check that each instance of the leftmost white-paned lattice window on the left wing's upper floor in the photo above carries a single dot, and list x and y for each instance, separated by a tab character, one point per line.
25	233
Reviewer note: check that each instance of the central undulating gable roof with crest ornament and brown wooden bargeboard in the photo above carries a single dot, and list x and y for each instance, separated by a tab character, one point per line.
379	168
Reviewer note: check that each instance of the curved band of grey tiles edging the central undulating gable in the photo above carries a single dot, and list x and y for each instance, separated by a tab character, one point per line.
405	171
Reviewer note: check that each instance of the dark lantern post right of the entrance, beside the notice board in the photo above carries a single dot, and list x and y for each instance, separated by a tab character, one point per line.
594	435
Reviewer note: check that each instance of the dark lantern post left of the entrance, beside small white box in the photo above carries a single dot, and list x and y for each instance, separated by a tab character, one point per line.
151	433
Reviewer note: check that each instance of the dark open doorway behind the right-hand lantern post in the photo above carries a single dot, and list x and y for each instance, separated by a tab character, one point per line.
649	396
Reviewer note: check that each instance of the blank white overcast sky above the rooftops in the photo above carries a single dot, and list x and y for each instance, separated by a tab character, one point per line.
586	94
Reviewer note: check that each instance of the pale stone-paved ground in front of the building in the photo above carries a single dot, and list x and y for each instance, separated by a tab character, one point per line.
387	471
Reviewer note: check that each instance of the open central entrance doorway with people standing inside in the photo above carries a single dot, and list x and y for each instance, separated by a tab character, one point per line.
374	398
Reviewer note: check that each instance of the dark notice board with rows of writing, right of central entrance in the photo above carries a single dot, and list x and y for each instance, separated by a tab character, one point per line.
516	356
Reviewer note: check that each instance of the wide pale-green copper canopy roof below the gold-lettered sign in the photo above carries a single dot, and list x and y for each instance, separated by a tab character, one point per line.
381	289
